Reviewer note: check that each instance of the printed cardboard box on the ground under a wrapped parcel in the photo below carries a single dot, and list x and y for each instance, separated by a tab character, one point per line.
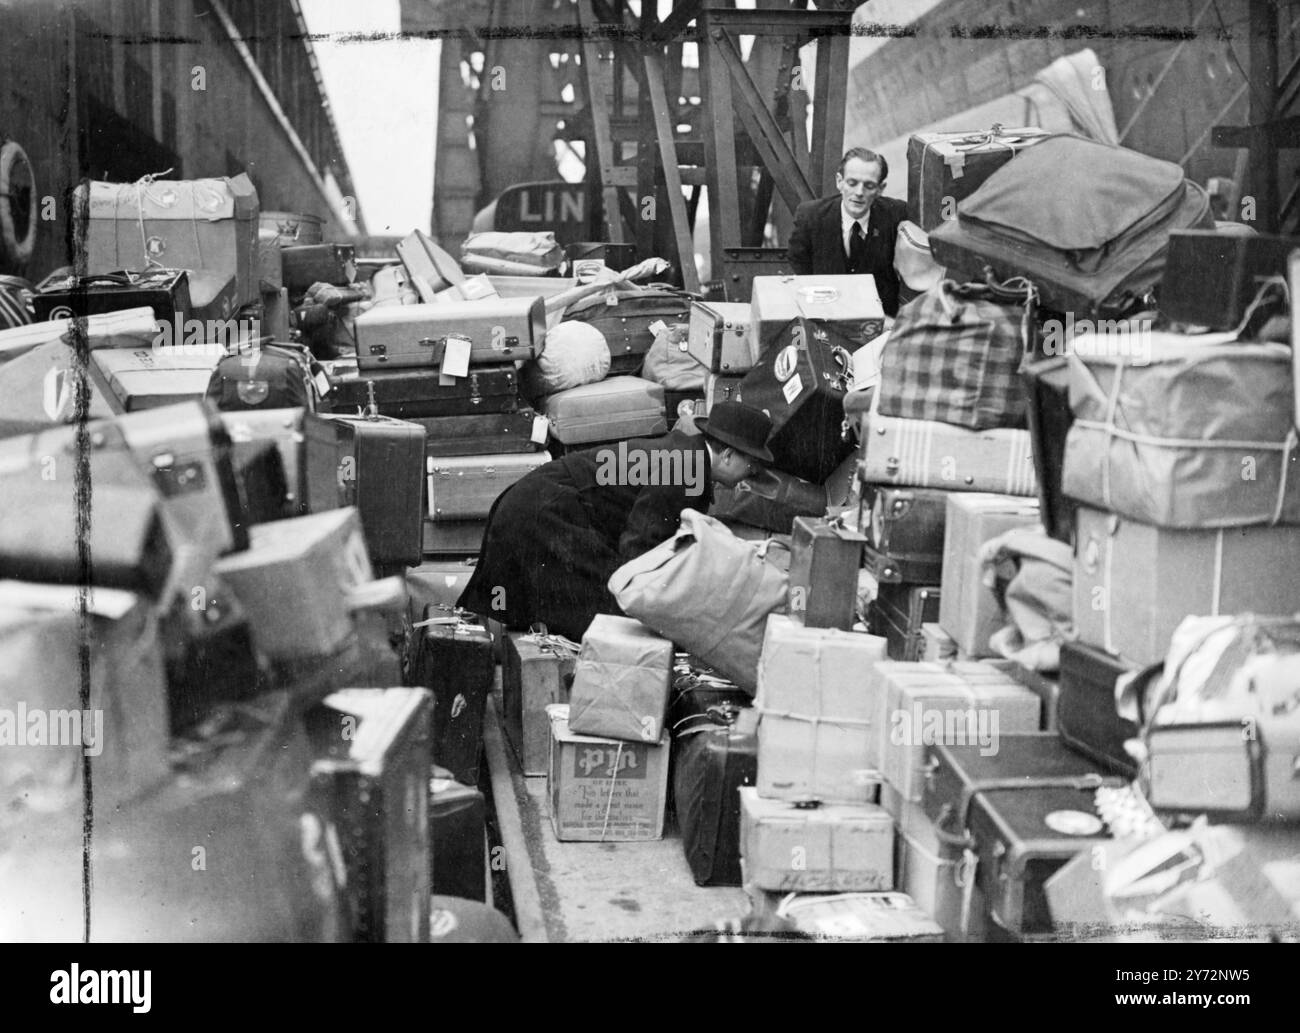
605	791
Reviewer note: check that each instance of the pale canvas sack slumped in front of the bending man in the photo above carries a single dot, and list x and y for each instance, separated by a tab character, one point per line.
709	592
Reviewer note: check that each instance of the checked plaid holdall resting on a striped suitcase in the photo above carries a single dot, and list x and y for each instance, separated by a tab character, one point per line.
955	353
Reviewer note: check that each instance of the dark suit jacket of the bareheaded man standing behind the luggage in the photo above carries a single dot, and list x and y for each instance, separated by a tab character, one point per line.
817	244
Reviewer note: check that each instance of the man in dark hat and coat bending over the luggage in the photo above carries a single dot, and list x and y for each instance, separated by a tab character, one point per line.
556	537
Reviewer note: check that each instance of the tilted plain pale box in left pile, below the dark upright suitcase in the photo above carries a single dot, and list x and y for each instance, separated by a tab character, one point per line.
293	581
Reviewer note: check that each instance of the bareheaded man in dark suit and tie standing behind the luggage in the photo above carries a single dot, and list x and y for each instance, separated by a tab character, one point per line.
855	231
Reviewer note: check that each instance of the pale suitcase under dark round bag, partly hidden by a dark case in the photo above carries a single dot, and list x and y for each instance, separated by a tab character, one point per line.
309	452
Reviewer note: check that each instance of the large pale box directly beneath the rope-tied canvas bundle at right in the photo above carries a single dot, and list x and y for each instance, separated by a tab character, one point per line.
1134	584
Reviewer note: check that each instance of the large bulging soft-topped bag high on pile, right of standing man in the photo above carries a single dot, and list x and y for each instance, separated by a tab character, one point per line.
1087	223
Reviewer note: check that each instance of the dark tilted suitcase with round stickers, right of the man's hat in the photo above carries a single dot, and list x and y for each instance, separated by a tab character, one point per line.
801	383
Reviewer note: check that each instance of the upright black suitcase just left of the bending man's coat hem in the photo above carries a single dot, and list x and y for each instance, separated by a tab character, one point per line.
456	661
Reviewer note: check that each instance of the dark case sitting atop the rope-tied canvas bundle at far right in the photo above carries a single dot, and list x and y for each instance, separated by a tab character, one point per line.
1212	277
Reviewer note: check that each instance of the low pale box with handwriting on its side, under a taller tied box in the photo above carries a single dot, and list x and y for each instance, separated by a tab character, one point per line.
831	849
